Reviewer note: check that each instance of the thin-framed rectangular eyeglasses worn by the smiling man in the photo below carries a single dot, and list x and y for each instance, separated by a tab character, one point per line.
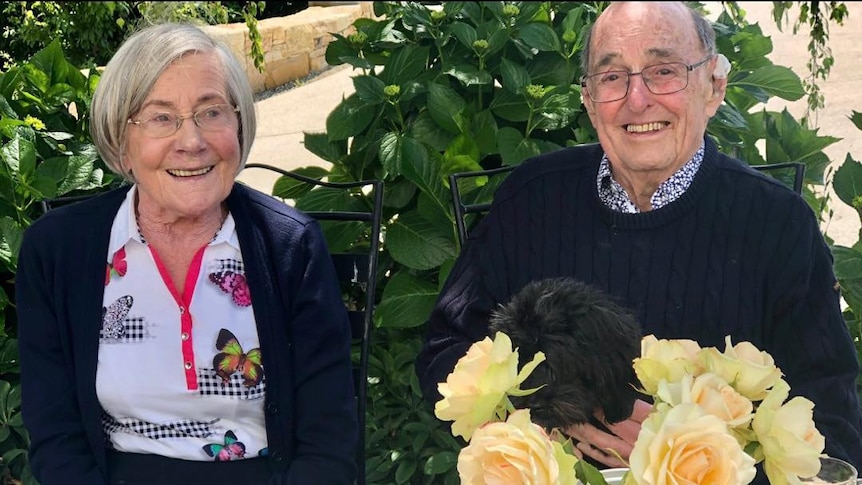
666	78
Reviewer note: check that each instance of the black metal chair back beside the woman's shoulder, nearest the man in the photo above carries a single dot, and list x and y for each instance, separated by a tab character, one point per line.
357	271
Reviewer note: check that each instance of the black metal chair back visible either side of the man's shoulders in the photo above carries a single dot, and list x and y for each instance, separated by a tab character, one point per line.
472	192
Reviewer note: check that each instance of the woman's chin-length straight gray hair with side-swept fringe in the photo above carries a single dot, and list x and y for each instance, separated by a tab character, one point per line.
133	71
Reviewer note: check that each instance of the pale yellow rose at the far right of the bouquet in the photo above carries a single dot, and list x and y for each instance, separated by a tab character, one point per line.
790	443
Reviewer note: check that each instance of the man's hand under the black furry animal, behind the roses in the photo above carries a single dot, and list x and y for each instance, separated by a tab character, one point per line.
598	444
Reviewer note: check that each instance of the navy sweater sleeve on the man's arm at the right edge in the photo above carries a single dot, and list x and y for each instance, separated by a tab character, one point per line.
810	340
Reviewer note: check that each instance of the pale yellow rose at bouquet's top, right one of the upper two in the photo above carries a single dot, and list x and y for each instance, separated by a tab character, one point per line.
749	370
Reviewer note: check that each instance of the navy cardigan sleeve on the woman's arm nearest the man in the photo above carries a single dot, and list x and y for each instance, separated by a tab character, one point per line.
325	410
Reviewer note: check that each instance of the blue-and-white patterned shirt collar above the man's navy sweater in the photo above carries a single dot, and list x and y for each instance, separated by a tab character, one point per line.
614	196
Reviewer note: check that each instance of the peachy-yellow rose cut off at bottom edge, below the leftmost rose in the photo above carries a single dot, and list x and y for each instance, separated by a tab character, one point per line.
516	451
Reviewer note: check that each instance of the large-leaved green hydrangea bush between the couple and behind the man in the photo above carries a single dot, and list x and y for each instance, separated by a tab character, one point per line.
477	85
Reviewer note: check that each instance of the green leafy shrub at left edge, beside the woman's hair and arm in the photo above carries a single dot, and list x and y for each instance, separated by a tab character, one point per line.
44	152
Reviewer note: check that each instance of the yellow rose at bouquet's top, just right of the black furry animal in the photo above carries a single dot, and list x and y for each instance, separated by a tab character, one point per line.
665	360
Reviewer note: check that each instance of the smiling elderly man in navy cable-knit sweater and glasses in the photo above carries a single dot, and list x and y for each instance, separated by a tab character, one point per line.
694	243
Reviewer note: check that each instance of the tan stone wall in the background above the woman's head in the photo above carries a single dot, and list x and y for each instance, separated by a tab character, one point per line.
294	46
